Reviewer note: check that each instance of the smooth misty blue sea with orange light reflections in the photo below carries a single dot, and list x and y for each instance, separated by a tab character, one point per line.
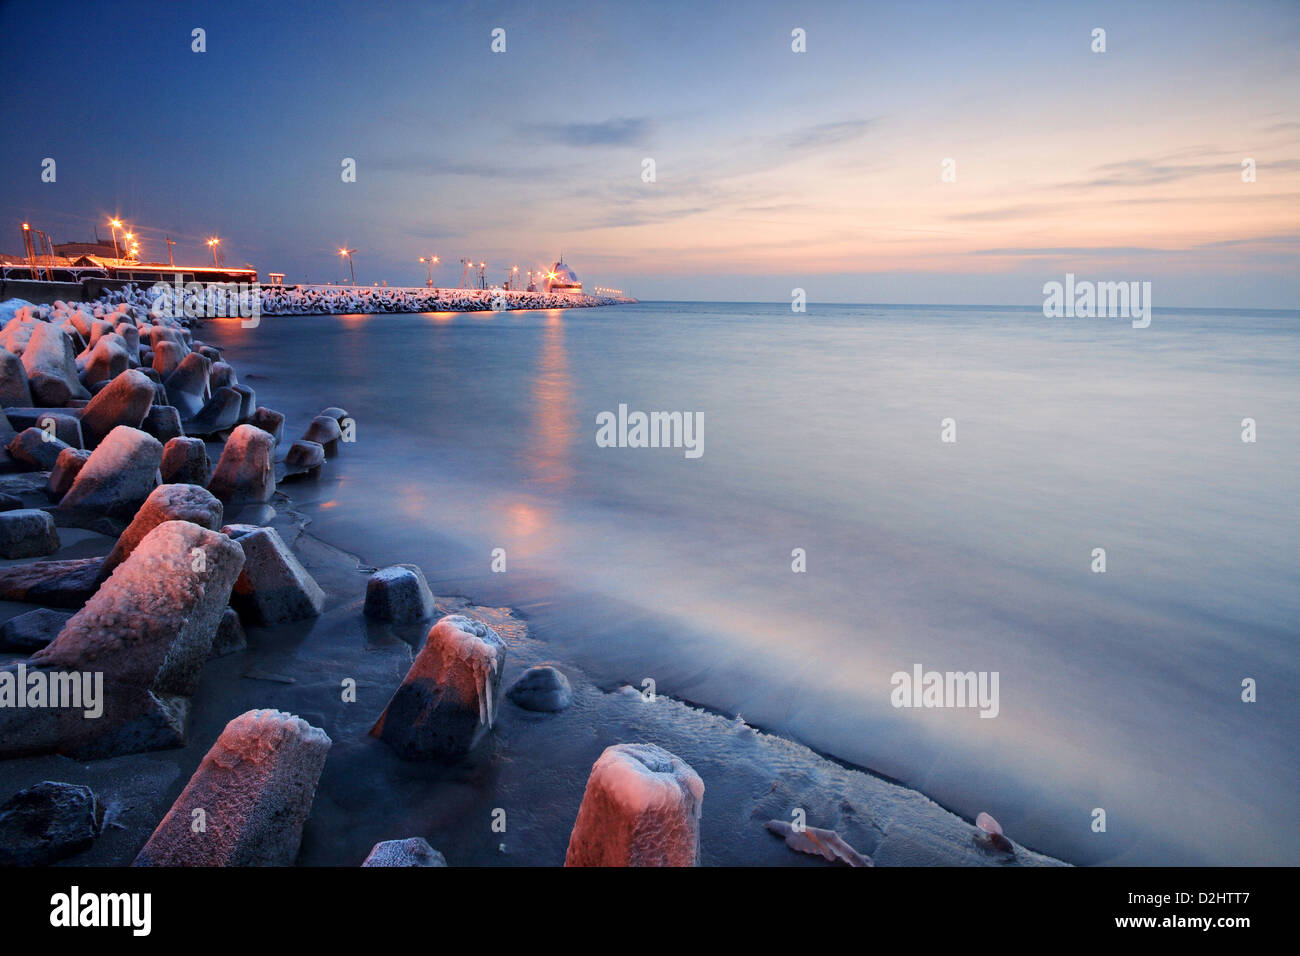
822	431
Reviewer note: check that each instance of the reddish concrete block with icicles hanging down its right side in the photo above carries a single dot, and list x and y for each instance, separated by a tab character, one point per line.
448	700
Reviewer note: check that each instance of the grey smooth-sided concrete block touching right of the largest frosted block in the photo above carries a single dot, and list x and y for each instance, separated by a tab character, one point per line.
274	587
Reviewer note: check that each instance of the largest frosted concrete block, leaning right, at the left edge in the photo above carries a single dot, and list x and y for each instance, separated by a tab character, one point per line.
144	638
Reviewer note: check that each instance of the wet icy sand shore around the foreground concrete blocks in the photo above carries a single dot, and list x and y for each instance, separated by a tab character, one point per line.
532	765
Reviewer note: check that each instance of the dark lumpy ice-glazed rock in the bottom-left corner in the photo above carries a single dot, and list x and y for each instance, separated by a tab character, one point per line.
49	823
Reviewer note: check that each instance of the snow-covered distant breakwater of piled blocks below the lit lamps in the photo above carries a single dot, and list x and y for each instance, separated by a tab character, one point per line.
369	300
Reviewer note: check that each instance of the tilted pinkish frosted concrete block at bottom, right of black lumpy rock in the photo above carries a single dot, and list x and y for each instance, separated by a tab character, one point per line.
254	791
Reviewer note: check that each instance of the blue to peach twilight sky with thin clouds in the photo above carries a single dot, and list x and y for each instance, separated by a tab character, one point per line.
773	170
